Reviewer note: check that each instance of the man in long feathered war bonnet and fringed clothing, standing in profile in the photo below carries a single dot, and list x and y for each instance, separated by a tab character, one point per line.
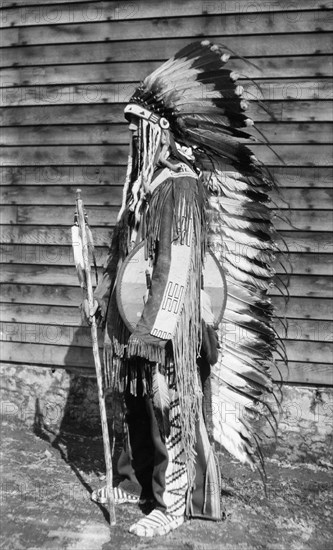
192	188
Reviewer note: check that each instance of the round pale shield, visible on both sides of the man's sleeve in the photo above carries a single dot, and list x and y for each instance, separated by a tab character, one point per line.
133	283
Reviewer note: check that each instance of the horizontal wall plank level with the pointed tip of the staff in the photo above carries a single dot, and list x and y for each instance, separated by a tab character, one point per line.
102	195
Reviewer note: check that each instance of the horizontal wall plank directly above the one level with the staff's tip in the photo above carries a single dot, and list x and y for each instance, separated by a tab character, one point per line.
286	176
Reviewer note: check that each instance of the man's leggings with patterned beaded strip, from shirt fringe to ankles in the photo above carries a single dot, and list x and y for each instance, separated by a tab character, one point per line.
159	466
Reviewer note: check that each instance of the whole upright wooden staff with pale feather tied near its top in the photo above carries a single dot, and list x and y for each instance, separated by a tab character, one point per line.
82	243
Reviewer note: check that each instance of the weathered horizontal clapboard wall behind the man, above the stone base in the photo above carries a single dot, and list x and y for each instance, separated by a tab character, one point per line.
68	68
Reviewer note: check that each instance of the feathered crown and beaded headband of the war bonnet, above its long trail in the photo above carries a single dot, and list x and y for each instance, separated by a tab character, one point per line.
197	98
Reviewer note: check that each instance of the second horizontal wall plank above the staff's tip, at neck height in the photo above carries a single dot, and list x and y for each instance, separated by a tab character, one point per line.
295	155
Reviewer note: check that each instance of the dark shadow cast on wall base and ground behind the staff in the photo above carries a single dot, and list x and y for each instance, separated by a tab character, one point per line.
77	434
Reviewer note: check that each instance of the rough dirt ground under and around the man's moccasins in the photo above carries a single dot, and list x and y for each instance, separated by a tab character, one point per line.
46	481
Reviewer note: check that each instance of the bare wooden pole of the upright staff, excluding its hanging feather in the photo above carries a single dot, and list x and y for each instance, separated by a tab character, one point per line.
101	398
